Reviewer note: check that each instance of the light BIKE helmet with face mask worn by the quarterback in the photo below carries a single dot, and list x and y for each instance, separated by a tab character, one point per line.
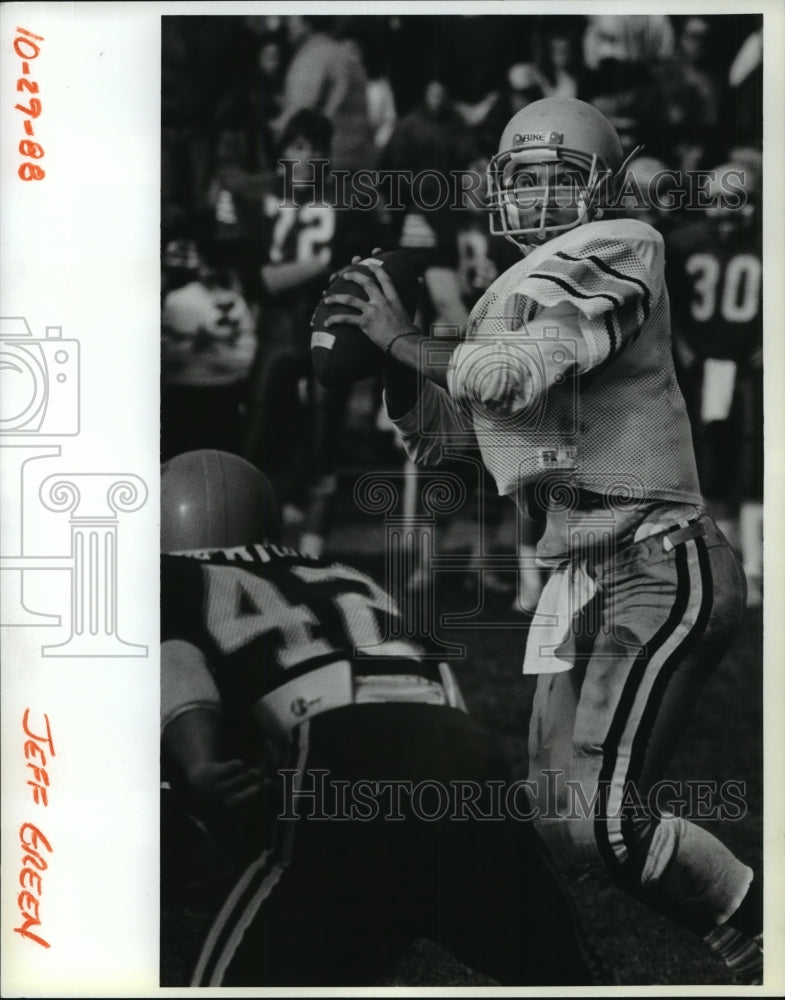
555	139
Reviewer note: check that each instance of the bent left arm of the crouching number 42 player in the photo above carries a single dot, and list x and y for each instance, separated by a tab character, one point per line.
192	731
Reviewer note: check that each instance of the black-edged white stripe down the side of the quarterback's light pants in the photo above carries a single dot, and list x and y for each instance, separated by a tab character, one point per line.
610	847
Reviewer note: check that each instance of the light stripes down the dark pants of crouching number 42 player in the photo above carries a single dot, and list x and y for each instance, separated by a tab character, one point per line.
253	887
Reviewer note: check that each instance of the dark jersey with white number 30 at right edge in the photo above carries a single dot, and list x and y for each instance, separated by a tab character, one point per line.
715	285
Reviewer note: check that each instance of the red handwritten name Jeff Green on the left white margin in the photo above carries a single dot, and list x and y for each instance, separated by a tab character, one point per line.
37	745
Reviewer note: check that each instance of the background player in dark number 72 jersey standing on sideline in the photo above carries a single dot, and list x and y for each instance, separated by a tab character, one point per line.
300	227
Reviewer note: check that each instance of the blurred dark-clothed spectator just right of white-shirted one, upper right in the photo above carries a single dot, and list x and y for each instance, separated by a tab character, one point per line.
691	94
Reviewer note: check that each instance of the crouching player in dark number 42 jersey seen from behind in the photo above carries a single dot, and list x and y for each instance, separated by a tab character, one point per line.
264	646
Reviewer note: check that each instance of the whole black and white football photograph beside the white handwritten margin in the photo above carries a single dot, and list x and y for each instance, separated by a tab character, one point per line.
462	500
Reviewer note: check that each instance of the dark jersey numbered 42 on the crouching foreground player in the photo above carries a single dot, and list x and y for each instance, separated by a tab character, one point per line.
288	637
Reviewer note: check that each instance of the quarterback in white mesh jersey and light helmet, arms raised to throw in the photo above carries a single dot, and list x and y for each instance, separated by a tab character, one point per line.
566	382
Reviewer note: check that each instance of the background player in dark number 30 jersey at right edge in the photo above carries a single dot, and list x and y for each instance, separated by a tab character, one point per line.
714	277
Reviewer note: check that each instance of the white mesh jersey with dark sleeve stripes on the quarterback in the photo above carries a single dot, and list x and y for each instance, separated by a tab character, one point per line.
566	374
